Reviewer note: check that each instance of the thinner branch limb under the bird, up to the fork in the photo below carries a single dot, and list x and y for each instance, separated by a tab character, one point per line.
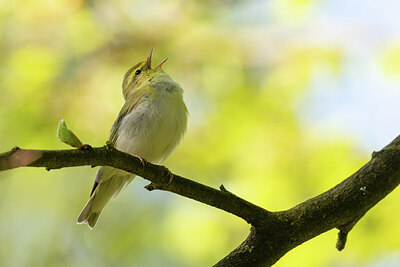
160	176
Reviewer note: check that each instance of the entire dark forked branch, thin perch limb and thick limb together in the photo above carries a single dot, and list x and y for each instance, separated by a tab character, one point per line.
272	234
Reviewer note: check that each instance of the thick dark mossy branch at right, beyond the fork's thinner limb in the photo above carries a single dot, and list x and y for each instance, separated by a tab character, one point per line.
339	207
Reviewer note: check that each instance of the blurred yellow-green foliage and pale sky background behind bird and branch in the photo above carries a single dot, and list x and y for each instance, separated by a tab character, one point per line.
286	99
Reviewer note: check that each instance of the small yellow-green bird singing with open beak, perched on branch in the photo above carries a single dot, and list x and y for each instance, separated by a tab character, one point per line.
150	125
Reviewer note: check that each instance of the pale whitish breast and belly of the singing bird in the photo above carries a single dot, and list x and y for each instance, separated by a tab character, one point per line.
155	127
